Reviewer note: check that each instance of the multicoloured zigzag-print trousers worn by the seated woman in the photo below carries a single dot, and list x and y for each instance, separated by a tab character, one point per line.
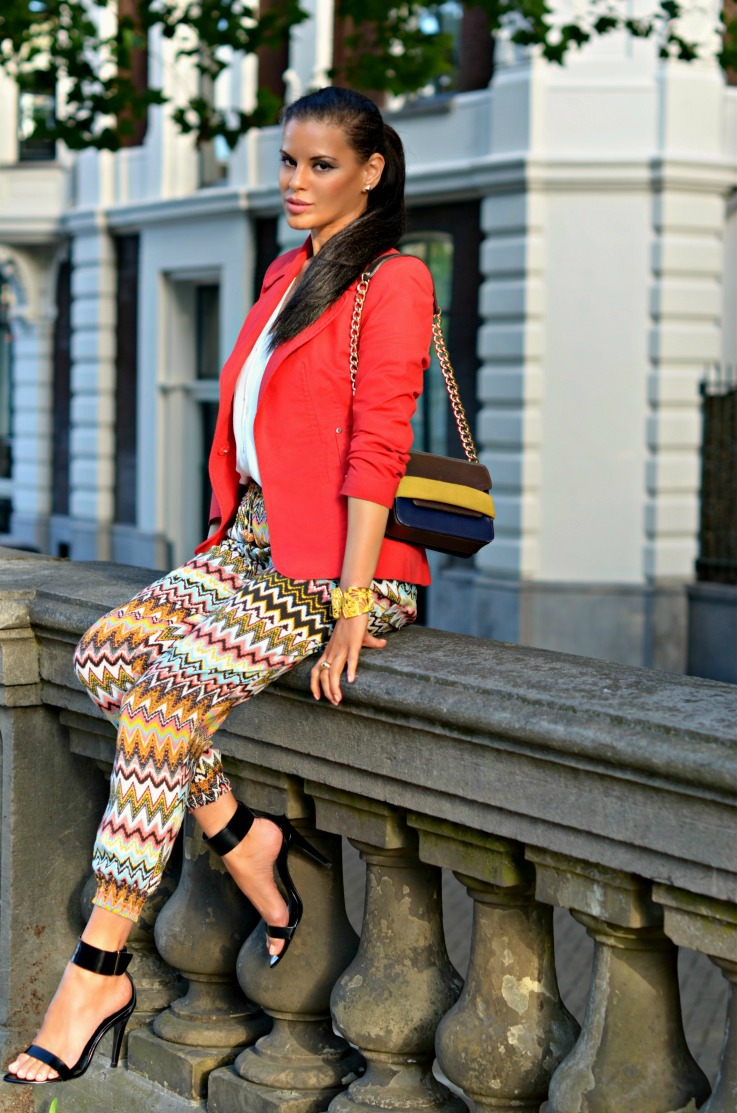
168	669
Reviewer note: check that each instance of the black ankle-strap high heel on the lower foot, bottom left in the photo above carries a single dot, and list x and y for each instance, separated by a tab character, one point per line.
110	963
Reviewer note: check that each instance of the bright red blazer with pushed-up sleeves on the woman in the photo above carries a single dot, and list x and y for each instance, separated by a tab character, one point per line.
317	442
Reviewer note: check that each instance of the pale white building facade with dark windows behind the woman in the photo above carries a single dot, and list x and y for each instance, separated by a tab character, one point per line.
582	223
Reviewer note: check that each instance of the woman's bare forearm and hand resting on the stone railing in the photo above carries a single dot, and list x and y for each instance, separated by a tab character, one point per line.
367	526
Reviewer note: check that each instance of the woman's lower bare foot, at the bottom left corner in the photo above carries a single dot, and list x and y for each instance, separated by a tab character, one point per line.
81	1004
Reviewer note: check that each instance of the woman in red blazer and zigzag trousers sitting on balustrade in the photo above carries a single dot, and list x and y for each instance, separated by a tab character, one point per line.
297	563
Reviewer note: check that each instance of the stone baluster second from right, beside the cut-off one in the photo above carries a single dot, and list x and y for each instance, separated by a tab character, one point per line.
632	1053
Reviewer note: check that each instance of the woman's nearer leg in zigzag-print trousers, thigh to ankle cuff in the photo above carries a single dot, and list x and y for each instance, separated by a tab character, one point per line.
169	718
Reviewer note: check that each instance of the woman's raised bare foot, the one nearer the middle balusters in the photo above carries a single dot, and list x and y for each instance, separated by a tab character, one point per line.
251	864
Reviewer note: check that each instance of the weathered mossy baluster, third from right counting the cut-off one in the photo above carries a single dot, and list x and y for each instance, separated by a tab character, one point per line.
504	1039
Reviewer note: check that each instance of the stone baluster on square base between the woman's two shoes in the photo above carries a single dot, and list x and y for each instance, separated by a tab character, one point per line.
200	932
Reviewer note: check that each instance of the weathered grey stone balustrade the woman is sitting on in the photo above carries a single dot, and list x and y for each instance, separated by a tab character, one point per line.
539	780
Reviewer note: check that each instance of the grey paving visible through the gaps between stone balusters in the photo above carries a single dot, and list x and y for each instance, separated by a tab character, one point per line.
704	990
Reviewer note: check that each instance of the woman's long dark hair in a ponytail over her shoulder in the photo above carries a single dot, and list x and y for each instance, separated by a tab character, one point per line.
346	254
